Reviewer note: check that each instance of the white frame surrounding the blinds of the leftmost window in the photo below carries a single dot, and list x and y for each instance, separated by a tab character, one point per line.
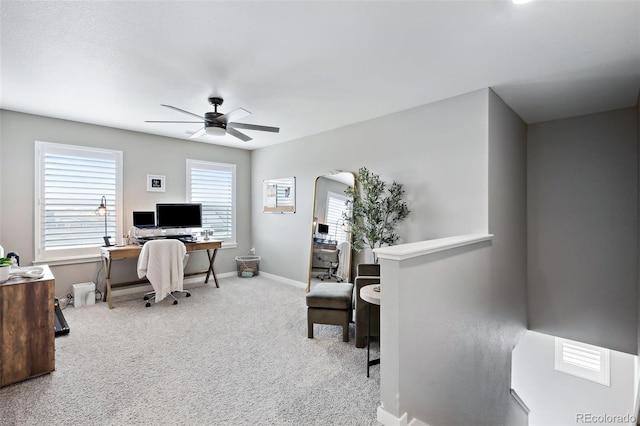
70	254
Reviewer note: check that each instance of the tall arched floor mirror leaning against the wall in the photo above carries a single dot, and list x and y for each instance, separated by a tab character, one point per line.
331	252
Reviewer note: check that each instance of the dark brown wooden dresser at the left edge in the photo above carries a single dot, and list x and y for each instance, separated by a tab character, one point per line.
27	328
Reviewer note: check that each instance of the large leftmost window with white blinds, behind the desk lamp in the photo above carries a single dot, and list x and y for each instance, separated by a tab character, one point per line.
70	183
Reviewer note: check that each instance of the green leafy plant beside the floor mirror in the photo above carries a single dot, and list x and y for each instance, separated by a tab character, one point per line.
376	209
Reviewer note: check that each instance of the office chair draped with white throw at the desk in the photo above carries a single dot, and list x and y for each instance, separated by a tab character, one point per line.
162	262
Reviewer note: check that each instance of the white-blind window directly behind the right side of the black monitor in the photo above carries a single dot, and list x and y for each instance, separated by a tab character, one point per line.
213	185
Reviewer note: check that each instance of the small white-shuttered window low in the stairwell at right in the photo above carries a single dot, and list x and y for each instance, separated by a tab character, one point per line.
582	360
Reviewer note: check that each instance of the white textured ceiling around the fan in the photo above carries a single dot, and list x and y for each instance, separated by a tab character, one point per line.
308	67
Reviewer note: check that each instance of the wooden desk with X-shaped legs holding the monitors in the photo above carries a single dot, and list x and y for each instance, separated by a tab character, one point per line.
133	251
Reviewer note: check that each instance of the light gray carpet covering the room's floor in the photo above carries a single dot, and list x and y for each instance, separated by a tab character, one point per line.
234	355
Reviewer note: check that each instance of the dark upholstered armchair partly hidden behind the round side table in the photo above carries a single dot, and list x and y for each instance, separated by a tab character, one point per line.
367	274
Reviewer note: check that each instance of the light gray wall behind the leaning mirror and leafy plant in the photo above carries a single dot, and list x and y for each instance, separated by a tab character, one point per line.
432	150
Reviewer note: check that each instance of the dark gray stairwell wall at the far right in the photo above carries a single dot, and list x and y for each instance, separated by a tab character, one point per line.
583	229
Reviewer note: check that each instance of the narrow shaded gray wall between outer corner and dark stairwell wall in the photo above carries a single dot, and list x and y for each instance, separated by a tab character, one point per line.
508	261
